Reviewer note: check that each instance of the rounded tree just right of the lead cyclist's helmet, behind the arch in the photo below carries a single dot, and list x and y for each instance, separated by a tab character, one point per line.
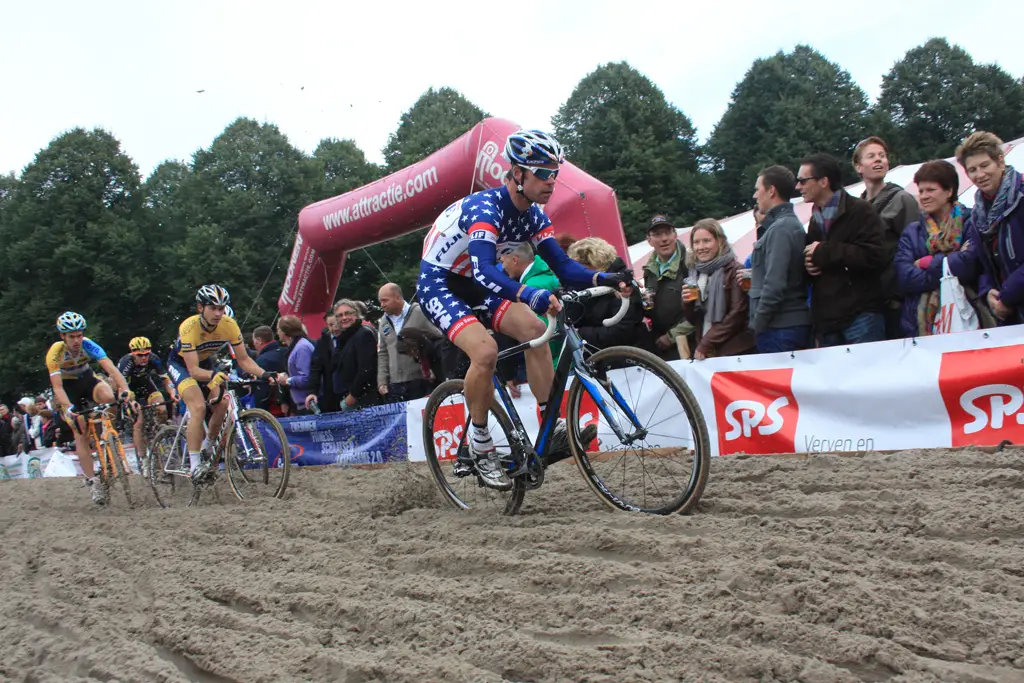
618	126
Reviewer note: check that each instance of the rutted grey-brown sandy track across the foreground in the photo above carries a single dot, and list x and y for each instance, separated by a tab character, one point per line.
907	568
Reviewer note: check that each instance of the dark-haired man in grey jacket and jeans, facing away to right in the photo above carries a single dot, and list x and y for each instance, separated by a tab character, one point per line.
780	315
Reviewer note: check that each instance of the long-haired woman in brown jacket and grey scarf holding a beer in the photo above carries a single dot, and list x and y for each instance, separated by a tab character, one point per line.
713	300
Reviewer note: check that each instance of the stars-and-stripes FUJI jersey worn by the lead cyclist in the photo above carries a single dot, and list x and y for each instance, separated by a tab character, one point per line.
474	234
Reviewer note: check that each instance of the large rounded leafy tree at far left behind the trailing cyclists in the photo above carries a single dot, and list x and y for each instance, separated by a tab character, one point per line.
74	236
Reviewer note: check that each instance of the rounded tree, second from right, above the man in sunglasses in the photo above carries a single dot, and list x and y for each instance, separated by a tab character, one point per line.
786	108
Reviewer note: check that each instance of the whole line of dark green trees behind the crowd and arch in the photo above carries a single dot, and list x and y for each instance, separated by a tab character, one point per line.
81	230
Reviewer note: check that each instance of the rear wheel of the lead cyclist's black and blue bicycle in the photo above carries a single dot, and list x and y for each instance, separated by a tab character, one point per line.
445	421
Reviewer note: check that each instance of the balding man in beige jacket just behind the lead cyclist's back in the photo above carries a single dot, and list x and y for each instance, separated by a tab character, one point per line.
404	332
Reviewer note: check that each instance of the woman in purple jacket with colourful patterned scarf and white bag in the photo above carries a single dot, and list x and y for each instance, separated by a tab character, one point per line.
926	244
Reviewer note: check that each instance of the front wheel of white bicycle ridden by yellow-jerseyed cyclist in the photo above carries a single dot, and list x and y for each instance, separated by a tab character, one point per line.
259	458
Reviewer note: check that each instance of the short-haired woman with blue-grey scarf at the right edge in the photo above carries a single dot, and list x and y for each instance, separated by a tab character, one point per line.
996	228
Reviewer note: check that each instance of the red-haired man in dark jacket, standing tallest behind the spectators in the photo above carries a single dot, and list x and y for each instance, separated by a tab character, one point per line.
897	207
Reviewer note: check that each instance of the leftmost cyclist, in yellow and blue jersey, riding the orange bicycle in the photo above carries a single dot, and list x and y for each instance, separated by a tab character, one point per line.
74	383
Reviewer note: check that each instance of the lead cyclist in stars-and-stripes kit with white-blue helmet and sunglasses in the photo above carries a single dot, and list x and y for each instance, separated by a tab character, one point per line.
459	271
